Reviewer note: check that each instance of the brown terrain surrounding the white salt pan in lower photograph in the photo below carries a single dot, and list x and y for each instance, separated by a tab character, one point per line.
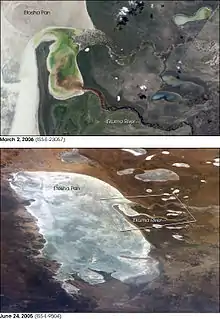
189	267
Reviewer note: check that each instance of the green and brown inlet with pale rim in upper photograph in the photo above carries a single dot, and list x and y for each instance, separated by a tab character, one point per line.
65	79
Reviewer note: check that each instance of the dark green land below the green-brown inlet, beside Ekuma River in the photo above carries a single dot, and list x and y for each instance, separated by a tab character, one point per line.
82	115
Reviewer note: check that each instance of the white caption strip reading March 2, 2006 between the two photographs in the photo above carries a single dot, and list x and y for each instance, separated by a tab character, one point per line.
110	142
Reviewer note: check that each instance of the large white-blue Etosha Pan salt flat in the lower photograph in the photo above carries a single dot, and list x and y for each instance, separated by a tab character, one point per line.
82	231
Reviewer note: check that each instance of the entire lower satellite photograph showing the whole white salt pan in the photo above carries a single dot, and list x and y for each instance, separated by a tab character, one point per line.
109	230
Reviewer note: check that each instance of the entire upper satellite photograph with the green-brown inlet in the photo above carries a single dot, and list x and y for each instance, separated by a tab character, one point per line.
109	68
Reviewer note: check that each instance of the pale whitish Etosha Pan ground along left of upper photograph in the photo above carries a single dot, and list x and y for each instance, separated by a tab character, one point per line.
18	41
